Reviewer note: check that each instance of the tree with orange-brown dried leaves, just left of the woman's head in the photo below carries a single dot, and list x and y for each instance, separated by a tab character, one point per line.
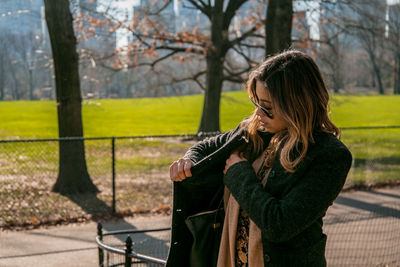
212	45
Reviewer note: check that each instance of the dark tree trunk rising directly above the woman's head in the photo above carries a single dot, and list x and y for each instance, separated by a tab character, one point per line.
278	26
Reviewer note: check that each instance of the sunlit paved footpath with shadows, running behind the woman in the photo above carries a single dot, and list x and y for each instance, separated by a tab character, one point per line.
376	213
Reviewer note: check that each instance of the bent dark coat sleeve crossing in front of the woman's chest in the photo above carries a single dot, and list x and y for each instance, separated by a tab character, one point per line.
281	219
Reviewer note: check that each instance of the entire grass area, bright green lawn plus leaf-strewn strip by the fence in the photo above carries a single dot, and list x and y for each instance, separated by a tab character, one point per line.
29	170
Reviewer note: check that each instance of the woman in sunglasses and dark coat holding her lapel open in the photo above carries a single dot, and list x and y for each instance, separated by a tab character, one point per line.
279	181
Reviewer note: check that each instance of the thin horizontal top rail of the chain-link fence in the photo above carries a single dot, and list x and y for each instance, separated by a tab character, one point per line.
80	138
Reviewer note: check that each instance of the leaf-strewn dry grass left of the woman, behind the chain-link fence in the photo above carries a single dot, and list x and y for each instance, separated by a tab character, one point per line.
142	182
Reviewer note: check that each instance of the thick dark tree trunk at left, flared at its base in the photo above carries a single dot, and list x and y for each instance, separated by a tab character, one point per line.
73	176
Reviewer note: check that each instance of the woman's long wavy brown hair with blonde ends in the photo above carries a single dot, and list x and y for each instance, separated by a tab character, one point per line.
298	93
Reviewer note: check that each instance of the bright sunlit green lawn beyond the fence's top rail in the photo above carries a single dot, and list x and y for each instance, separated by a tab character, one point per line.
174	115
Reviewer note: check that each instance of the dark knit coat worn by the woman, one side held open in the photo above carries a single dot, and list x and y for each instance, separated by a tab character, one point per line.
288	210
